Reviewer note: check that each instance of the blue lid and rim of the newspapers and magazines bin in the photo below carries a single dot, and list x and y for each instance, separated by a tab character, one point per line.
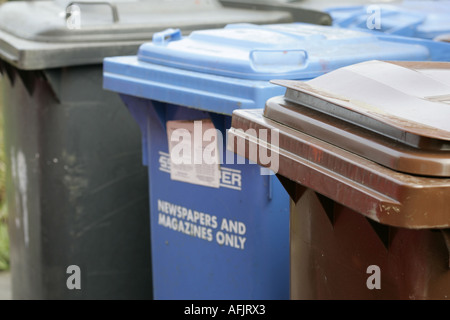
221	70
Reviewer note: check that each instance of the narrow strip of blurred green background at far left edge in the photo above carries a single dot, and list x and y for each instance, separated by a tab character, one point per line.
4	239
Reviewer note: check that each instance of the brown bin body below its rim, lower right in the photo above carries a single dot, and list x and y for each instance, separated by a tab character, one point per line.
413	264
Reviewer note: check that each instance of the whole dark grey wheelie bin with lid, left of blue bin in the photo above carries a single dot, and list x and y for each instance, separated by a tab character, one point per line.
77	191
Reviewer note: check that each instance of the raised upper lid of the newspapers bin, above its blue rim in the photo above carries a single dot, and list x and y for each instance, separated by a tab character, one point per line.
289	51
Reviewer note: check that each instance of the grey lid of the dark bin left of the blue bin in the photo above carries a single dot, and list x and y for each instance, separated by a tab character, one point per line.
47	34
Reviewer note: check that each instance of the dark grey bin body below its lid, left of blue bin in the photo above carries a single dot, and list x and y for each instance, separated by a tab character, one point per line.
74	197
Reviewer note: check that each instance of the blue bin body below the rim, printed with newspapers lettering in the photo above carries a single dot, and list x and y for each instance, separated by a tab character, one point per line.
232	254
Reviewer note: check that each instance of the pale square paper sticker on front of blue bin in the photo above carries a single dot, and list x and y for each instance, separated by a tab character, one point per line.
194	152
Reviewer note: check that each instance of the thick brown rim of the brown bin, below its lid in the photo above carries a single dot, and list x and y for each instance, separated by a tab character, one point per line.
384	195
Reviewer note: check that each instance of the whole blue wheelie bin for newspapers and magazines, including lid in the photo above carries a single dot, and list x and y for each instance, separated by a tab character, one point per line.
220	229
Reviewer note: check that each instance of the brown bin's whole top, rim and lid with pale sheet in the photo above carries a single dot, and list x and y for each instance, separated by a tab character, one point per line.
341	140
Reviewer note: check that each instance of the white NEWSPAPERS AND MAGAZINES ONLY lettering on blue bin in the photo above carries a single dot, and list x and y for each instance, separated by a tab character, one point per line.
202	225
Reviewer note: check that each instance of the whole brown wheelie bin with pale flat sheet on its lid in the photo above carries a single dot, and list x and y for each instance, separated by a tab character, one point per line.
364	154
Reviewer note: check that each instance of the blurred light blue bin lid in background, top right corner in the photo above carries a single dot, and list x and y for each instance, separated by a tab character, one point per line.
421	19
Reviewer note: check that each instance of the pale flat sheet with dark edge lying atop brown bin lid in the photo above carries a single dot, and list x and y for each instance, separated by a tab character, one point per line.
396	101
